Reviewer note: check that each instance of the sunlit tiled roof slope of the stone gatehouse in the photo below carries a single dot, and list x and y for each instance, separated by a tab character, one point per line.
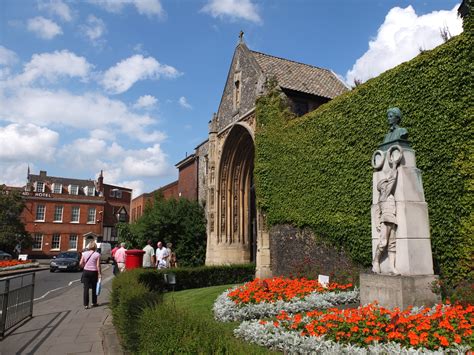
300	77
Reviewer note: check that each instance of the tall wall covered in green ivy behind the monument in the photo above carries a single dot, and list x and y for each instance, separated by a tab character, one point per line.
314	171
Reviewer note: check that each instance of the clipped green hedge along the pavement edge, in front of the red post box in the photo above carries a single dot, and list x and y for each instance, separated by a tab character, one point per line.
129	299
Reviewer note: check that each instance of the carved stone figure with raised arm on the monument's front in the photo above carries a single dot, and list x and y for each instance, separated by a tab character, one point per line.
386	221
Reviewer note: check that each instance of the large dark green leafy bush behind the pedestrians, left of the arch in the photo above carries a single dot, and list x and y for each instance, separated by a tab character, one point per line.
181	222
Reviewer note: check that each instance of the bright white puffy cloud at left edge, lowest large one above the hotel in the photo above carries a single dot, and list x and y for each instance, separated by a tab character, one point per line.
28	141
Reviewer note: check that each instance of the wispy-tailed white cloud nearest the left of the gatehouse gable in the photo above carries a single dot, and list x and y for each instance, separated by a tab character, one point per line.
123	75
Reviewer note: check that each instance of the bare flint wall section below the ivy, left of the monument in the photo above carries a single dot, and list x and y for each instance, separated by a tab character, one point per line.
298	252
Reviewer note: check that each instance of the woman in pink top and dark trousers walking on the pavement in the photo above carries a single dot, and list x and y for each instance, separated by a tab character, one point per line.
90	261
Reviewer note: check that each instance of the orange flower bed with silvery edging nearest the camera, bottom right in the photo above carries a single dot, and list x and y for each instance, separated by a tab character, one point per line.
371	328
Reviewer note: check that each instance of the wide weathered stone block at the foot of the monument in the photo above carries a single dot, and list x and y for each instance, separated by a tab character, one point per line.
392	291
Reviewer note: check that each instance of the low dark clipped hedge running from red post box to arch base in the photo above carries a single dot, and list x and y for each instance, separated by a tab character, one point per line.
197	277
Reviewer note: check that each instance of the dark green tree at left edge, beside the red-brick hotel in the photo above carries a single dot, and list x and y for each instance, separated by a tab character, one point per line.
12	229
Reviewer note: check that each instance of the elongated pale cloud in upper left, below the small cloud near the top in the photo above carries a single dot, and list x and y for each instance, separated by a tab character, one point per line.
52	66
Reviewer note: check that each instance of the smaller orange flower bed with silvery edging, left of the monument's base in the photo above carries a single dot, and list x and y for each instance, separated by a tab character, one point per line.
266	298
